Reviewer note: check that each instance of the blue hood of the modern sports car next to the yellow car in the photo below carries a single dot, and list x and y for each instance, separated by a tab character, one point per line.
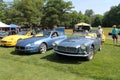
29	40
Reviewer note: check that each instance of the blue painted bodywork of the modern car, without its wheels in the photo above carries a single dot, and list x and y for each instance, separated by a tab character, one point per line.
36	41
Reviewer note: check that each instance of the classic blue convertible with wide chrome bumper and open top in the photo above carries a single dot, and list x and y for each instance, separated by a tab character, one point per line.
78	45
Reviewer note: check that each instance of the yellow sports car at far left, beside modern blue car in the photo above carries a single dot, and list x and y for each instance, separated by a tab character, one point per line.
13	39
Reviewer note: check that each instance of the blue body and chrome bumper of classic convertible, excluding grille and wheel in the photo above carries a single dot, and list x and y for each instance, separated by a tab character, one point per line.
76	43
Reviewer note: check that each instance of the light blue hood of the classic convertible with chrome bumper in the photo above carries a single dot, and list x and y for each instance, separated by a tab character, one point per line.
74	42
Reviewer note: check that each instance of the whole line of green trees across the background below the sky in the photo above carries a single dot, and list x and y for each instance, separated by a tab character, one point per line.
53	12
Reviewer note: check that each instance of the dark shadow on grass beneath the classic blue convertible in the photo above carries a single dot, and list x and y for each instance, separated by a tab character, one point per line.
64	59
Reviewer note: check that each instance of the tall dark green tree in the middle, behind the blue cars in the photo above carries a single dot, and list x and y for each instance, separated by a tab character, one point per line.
56	13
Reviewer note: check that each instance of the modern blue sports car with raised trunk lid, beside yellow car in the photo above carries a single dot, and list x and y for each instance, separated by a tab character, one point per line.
40	43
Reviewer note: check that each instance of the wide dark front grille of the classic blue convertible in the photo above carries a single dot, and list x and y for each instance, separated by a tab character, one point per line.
67	49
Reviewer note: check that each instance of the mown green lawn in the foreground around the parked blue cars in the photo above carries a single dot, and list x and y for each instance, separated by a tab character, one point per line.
48	66
